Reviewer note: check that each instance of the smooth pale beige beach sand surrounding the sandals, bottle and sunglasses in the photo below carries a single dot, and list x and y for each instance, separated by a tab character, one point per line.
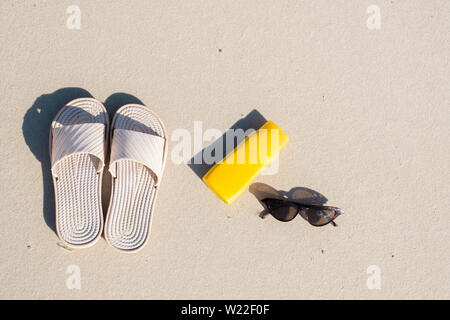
367	113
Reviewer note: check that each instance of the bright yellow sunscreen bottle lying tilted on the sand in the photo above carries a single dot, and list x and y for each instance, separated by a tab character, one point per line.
230	177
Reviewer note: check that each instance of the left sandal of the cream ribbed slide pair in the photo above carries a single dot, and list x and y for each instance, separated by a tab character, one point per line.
78	139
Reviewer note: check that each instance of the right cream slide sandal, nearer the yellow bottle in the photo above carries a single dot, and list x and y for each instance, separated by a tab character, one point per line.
138	157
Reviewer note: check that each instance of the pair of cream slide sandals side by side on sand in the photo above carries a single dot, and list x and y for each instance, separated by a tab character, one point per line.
79	141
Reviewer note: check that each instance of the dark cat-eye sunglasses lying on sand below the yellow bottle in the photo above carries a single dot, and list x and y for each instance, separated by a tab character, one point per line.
316	215
